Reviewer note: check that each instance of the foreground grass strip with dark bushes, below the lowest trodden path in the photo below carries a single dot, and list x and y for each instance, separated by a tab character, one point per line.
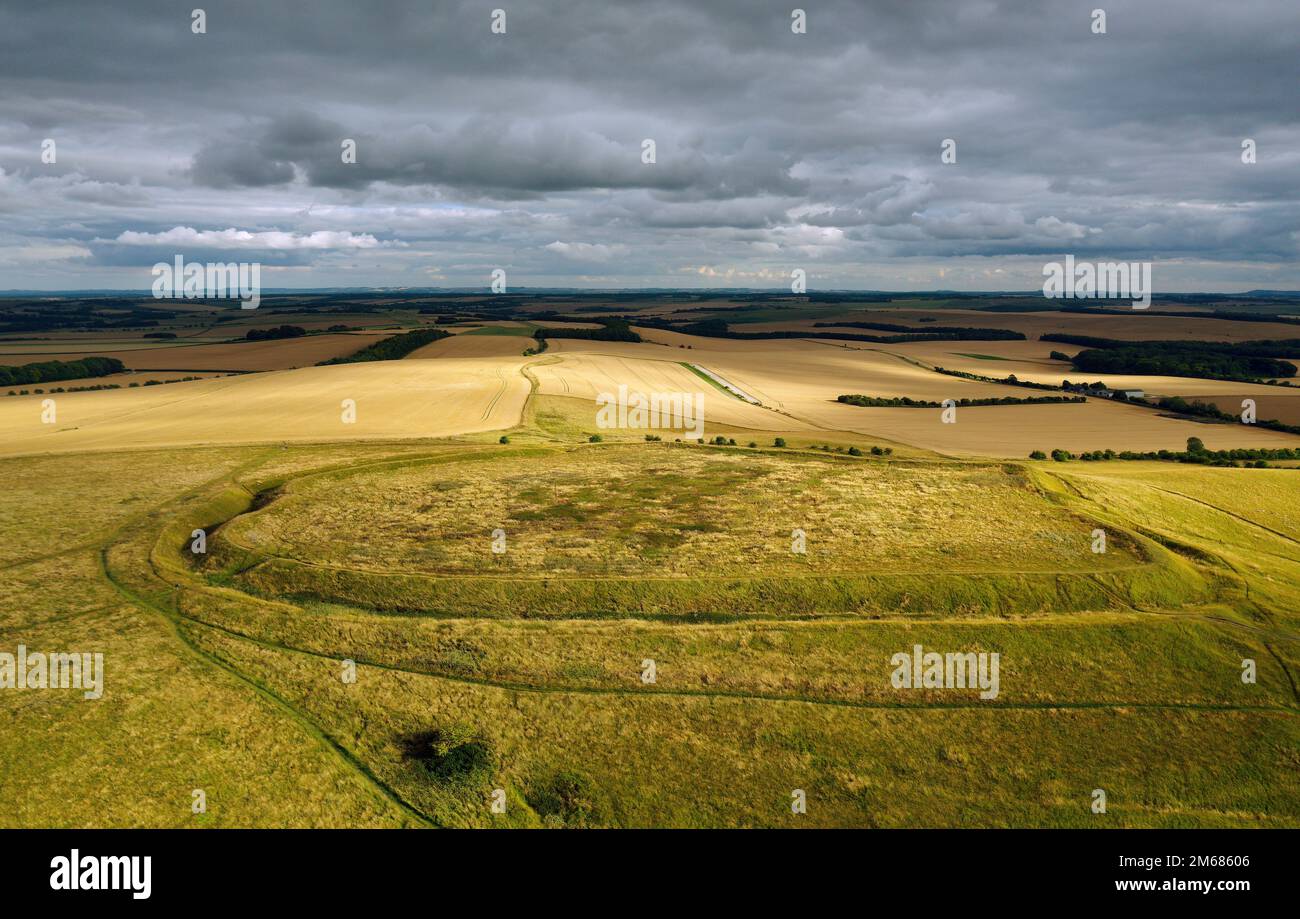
673	761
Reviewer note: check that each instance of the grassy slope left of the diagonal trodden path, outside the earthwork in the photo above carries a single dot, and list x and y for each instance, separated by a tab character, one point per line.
170	721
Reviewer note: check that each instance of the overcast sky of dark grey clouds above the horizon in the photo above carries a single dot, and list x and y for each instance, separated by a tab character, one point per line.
774	150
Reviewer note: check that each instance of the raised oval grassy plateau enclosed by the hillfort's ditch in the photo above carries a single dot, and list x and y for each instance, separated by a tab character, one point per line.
670	531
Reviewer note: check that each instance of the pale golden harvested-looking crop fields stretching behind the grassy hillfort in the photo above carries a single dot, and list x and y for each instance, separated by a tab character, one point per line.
479	383
